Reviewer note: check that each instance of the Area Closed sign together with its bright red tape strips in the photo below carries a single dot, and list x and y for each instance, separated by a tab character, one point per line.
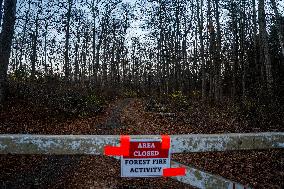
144	157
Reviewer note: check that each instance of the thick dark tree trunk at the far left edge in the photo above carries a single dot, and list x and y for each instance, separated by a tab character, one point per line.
6	37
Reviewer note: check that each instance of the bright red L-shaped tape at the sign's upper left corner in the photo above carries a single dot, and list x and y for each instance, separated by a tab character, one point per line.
122	150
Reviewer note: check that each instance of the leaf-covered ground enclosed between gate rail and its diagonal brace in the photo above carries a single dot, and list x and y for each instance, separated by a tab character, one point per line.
259	169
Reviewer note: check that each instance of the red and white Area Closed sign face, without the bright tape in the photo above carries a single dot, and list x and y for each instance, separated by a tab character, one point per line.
146	158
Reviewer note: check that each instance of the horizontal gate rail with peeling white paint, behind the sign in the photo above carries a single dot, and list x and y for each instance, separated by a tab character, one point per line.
94	144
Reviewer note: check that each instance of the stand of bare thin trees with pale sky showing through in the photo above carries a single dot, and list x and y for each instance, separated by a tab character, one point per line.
216	48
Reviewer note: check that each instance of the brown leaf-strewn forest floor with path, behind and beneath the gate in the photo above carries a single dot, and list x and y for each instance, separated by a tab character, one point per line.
257	168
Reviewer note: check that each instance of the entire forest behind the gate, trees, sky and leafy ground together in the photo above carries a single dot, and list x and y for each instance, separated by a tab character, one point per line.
142	67
